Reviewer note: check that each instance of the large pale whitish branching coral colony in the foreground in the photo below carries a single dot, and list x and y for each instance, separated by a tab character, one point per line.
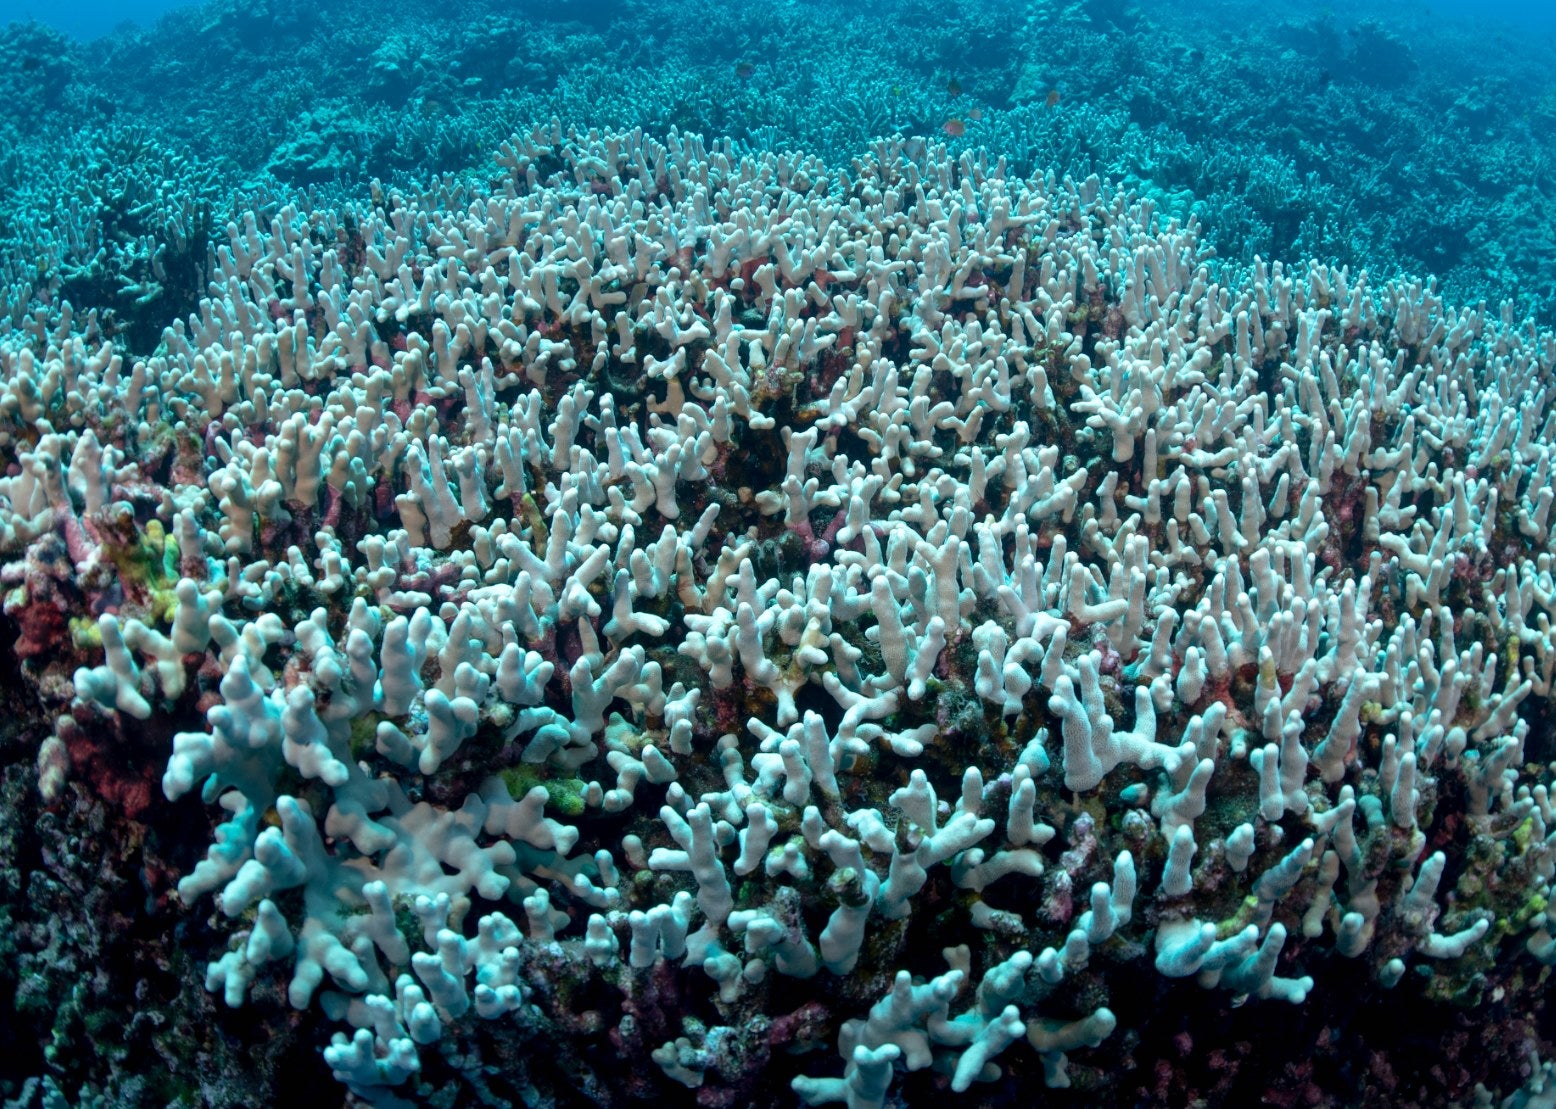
872	609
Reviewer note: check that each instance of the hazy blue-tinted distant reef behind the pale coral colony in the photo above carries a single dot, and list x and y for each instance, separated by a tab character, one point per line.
1389	144
